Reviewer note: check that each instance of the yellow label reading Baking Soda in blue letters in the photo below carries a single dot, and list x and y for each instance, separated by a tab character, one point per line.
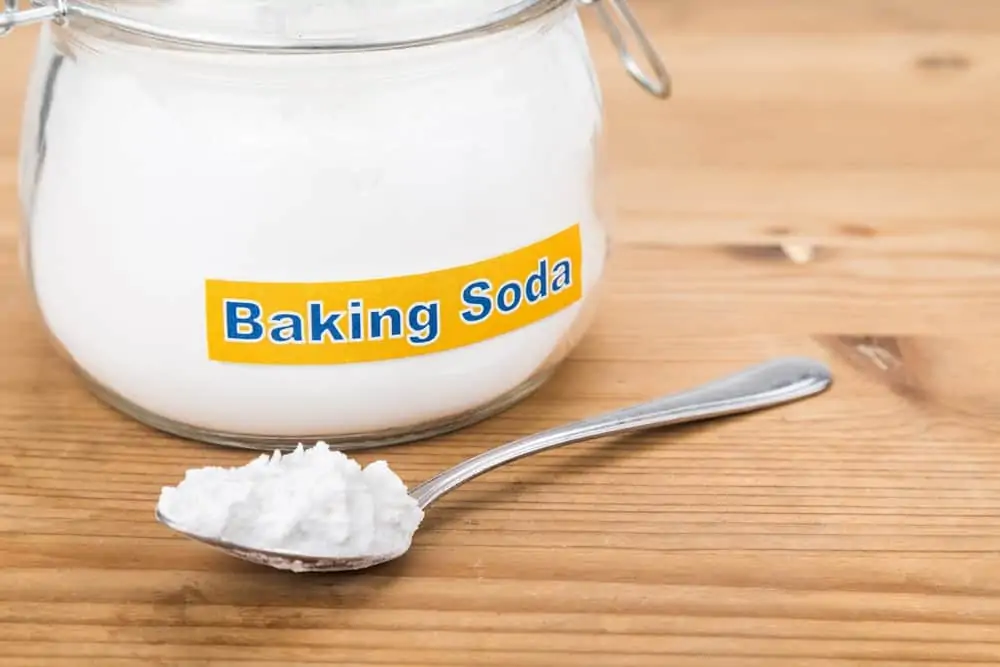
390	318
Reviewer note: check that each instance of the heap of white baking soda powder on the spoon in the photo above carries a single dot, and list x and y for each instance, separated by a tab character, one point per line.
314	501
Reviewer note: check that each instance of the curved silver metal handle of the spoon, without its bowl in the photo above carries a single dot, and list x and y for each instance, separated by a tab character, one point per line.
761	386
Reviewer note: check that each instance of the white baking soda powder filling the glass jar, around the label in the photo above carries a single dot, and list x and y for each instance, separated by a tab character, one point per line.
163	168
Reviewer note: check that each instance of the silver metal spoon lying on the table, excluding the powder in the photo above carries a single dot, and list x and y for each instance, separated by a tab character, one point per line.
762	386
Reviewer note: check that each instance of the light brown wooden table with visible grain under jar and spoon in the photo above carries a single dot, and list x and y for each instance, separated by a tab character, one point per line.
826	181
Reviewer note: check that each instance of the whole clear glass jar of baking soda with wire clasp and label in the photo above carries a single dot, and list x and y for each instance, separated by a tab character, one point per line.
259	224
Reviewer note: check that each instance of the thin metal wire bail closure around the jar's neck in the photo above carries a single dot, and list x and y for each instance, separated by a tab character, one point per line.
657	84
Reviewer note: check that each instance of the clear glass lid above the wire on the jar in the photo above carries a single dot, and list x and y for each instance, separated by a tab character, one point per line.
306	25
